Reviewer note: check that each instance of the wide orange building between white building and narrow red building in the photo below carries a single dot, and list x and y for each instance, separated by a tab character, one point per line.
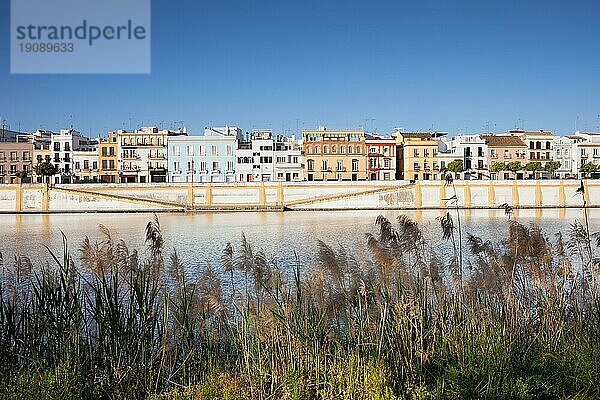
334	155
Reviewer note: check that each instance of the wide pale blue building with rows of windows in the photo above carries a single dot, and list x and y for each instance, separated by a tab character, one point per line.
207	158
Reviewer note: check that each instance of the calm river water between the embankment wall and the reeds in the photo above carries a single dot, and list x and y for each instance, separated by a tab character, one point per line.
201	237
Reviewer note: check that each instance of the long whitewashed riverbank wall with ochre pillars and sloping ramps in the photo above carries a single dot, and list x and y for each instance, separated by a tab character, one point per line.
273	196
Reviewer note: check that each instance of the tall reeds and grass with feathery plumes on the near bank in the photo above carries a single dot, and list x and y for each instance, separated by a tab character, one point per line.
521	320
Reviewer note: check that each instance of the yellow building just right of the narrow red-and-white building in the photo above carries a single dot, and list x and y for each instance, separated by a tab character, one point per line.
417	156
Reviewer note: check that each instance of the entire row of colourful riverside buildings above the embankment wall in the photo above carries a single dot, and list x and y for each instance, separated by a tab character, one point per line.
226	154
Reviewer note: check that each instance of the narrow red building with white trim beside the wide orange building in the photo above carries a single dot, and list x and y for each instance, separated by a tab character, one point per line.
381	155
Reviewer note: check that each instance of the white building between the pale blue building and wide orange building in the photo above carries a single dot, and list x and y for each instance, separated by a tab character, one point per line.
264	158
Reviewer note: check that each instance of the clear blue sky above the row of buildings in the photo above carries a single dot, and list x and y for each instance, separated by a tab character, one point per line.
446	65
